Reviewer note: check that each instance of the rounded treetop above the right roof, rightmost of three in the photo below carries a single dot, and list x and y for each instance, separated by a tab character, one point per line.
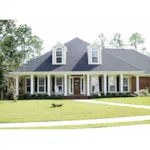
135	40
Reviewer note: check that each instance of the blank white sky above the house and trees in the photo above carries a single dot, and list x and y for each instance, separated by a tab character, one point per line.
63	20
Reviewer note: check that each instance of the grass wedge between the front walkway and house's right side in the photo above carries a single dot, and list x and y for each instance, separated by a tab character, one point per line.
127	100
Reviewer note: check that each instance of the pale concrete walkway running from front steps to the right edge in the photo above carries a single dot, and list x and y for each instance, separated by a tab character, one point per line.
112	103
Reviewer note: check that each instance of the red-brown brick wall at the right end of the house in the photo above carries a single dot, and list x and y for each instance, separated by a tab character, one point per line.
143	83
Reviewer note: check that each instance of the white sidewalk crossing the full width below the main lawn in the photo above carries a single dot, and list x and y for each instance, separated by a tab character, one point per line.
75	122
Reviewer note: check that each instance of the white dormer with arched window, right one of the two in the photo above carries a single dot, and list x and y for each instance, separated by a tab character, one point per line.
94	54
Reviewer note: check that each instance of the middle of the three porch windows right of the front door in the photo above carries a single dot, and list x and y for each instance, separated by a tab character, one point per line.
112	83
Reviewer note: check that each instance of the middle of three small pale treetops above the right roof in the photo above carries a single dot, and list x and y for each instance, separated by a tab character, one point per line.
117	42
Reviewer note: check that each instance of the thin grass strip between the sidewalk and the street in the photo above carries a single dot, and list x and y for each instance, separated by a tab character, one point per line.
87	126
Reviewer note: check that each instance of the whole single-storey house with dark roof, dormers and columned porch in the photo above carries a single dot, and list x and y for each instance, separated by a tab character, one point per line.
80	68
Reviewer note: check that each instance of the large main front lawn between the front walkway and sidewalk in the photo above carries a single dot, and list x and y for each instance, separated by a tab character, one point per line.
40	110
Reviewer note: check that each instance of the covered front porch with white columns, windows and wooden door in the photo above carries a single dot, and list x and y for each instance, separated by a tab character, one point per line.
69	84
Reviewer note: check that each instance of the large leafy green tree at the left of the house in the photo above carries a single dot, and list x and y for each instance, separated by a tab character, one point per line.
17	46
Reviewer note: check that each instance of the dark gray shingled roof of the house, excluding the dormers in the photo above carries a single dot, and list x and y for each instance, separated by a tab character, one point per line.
112	60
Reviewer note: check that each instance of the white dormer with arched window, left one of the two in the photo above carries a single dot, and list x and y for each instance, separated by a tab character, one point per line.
59	53
